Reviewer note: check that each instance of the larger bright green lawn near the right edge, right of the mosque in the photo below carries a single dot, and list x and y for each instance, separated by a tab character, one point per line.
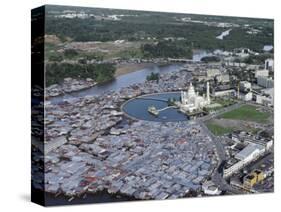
247	113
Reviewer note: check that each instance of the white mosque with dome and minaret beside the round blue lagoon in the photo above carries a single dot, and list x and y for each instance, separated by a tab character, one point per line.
191	101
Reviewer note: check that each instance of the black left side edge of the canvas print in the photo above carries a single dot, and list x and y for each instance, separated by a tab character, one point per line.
37	104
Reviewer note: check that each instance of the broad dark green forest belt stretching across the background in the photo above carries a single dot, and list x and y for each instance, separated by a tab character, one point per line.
195	35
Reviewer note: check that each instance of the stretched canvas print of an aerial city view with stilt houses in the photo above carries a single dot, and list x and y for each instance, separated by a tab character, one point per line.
150	106
